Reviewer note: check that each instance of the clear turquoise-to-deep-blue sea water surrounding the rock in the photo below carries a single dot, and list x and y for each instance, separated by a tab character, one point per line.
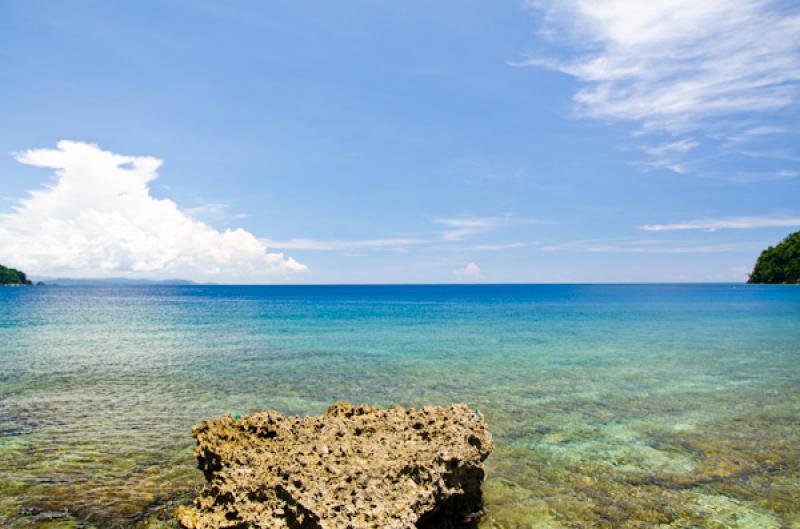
612	406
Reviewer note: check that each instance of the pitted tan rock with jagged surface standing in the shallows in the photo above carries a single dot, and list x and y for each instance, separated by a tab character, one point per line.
355	467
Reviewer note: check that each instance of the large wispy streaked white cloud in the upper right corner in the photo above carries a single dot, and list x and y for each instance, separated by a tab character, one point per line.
676	64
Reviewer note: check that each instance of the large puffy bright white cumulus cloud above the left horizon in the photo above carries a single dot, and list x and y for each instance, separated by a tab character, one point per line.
98	219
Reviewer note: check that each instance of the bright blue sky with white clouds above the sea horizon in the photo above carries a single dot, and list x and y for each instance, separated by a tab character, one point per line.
398	142
